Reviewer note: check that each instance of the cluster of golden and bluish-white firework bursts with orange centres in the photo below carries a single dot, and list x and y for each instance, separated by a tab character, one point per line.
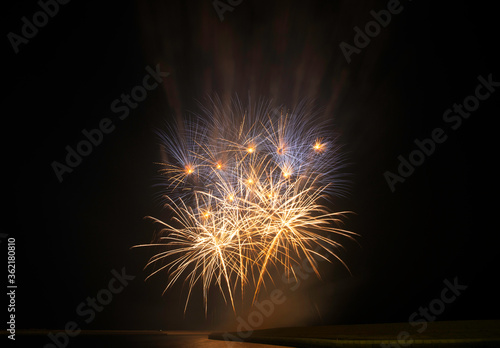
248	188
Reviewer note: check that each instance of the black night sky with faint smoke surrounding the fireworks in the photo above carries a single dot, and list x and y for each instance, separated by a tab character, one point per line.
439	224
